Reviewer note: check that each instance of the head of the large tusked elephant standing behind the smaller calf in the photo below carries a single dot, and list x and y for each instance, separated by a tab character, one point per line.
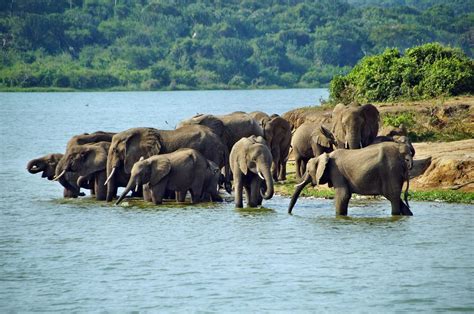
128	146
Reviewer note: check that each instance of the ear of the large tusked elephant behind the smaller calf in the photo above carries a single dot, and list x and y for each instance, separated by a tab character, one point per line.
144	143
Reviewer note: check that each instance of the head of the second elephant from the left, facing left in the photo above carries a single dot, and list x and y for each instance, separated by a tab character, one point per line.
86	159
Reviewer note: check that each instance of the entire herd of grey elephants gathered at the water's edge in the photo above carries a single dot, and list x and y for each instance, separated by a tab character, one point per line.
248	151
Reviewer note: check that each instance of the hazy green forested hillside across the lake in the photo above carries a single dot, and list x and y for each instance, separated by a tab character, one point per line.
171	44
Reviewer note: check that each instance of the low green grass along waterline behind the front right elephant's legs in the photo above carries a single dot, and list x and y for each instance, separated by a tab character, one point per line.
287	188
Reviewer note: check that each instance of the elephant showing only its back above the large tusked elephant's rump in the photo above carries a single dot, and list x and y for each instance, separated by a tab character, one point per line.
230	127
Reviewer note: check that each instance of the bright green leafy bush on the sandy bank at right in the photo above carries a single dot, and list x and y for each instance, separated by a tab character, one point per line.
426	71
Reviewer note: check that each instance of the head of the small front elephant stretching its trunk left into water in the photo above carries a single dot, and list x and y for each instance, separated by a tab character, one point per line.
151	170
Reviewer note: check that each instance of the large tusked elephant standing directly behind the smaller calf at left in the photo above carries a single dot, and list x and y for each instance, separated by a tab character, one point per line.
128	146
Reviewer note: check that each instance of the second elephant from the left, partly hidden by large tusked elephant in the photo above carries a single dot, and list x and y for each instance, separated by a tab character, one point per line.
89	162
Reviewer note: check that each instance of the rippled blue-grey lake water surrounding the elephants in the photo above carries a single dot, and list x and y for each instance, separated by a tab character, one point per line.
81	255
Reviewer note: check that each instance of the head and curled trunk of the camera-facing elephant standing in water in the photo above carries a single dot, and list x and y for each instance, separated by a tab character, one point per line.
257	158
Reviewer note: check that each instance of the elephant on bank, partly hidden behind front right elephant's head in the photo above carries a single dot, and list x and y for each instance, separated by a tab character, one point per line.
310	140
